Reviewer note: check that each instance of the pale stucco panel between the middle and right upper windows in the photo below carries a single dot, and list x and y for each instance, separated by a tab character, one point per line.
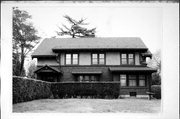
112	58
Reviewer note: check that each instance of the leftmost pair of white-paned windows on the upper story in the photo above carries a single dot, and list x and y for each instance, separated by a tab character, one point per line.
71	59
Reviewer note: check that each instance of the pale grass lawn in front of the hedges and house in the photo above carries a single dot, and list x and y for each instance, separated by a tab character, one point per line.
89	106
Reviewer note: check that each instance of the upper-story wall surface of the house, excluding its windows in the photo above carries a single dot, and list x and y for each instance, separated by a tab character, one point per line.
85	58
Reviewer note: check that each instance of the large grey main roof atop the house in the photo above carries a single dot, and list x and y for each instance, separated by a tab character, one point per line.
49	45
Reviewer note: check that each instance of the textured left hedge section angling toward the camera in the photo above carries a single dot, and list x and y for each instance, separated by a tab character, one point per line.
29	89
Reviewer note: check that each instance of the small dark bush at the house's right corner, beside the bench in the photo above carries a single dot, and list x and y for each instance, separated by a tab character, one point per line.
157	90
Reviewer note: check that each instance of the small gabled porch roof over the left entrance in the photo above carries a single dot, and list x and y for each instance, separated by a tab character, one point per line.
47	68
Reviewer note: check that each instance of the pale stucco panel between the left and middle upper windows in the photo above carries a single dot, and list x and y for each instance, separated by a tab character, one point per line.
85	58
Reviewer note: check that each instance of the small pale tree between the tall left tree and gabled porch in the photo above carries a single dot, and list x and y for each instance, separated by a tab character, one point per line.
32	67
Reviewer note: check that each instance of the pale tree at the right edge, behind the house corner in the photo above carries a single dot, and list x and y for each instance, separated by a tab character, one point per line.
155	62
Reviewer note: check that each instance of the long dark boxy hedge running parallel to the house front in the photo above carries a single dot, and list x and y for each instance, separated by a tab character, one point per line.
94	90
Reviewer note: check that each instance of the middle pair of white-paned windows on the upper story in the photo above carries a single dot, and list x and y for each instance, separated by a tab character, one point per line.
98	58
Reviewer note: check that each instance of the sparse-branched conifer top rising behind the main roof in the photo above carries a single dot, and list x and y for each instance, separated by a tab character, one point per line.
76	29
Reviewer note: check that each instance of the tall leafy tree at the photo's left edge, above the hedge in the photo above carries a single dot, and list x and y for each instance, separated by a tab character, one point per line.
24	39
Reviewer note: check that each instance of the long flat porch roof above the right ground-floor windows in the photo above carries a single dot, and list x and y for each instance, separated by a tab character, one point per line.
132	69
